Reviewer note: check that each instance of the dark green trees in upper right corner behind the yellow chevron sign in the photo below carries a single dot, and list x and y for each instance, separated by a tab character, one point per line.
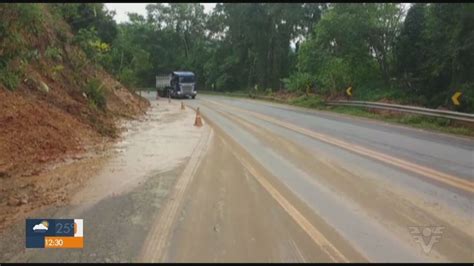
435	52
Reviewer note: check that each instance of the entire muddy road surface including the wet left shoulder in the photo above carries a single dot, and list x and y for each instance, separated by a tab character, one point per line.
264	182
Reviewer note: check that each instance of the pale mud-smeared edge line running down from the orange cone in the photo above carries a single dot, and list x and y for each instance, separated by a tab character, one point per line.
156	244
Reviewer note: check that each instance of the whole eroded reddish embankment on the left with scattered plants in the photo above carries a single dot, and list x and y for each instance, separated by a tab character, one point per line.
48	115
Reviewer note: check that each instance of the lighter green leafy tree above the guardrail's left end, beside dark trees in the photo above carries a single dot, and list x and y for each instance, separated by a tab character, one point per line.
338	52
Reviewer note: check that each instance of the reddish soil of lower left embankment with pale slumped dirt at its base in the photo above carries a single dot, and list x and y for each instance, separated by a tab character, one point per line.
42	135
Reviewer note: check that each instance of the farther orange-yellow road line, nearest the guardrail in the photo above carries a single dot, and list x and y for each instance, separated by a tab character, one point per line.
424	171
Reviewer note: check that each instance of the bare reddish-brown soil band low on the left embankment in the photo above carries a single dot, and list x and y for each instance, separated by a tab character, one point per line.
36	128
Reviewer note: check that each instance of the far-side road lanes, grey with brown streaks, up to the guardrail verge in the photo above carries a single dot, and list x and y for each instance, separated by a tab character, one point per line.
375	183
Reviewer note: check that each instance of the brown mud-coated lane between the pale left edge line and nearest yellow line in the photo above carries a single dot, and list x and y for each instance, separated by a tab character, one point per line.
228	216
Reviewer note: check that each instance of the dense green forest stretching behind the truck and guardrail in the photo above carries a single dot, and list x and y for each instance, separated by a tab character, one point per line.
419	54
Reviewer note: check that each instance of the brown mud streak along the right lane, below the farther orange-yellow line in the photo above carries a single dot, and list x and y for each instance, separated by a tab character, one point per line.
359	186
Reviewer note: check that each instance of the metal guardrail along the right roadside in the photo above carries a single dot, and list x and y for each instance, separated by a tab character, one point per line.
409	109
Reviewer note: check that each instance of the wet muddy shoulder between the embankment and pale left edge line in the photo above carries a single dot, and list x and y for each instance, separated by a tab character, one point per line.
123	189
